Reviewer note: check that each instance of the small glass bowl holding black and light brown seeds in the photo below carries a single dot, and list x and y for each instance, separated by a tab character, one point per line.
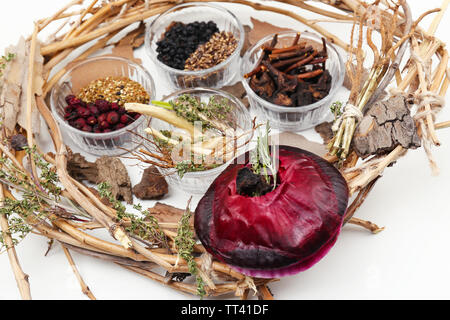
215	77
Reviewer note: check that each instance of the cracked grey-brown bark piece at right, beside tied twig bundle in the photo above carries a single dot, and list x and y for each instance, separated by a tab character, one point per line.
386	125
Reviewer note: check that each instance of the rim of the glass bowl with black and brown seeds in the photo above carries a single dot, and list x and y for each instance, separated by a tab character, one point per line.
237	51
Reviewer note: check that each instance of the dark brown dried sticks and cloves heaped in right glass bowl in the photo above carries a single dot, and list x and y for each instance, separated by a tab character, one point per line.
291	76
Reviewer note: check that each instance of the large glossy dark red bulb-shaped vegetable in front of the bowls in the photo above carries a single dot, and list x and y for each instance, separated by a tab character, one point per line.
282	232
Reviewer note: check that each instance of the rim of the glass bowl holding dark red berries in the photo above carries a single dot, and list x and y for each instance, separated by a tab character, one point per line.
107	135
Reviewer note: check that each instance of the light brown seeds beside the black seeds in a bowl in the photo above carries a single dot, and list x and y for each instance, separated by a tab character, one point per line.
219	48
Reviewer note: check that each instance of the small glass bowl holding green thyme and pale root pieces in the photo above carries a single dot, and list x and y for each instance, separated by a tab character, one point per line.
197	183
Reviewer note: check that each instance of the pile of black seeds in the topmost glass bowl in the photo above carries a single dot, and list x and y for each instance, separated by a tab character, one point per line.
181	40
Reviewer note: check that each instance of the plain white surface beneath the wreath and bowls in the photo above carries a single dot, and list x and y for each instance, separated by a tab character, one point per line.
408	260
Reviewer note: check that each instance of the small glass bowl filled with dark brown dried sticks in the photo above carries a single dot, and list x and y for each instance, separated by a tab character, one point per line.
293	118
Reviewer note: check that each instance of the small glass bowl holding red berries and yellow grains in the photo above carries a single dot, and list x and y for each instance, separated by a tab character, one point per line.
112	143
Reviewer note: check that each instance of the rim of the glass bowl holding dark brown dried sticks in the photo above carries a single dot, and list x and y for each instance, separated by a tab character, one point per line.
304	108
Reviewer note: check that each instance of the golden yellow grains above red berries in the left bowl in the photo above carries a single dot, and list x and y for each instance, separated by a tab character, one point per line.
118	90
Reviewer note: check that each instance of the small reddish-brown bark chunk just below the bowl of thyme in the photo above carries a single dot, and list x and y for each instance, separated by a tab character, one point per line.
152	186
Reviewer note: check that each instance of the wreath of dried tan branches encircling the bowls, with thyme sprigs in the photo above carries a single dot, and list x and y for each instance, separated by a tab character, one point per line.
44	197
